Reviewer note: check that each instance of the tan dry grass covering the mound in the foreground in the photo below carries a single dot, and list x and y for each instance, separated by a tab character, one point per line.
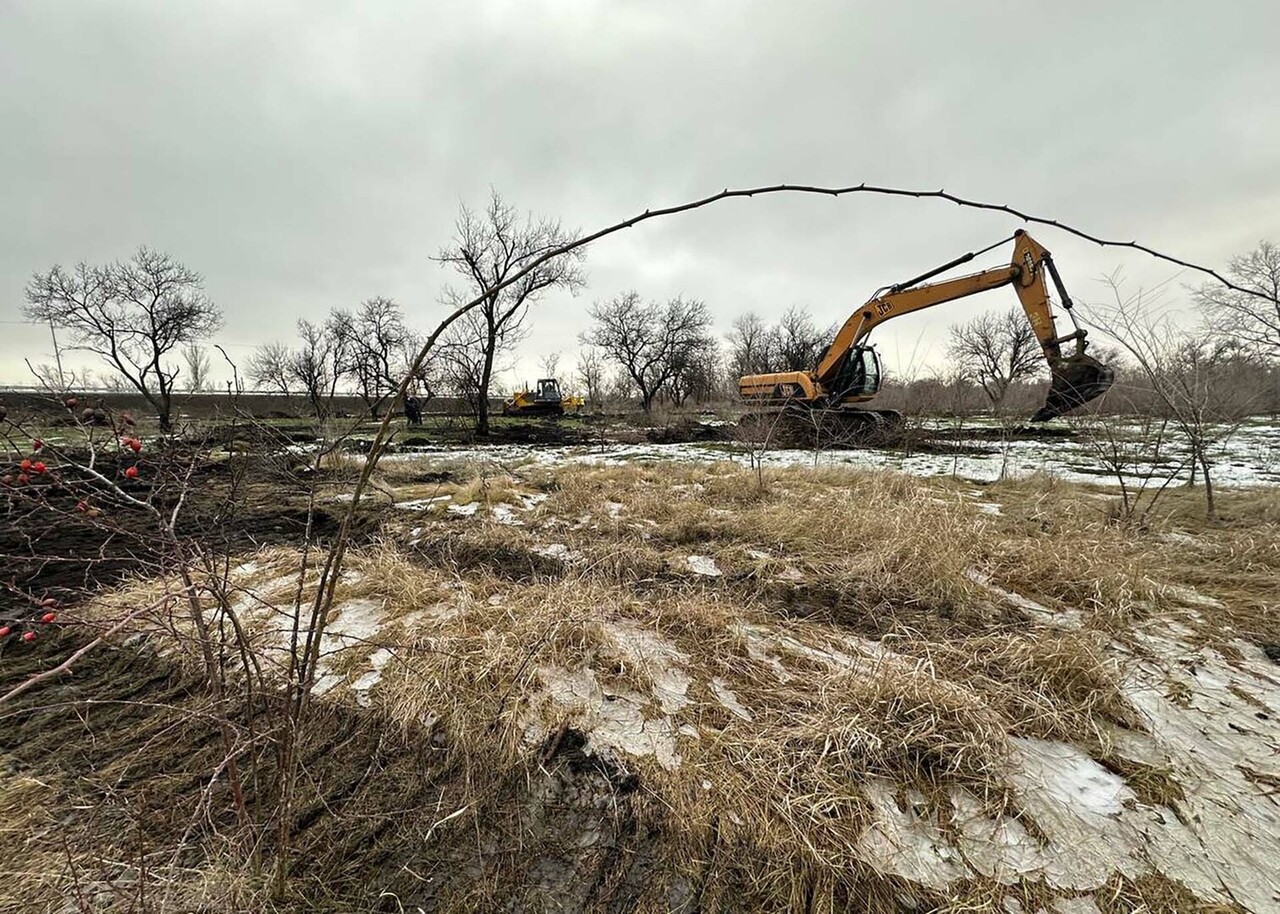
847	643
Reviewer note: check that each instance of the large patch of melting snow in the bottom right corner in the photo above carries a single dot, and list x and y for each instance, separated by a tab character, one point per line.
1222	726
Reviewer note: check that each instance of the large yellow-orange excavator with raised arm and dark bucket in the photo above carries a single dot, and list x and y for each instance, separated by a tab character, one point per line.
849	372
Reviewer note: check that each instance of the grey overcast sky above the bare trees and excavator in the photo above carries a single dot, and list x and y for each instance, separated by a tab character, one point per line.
308	156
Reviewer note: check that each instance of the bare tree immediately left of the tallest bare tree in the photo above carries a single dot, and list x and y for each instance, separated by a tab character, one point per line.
380	348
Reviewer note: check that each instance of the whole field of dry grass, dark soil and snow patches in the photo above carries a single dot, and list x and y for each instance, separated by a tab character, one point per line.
634	677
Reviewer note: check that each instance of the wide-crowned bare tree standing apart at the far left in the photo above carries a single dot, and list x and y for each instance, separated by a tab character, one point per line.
132	314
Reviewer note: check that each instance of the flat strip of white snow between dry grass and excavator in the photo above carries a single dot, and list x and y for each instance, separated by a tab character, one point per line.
1250	458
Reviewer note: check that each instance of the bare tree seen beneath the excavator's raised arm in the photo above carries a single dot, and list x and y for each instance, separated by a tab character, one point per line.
996	350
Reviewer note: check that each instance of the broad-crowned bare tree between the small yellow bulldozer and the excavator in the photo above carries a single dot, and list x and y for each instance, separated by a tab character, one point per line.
648	341
